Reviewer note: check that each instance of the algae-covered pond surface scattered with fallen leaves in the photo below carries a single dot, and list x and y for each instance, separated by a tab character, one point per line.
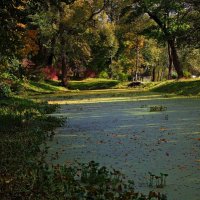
118	130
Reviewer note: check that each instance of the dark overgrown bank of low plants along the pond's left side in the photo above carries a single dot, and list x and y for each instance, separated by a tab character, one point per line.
24	126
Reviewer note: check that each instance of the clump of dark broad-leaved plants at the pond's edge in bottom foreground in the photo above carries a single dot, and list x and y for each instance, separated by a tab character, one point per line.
83	181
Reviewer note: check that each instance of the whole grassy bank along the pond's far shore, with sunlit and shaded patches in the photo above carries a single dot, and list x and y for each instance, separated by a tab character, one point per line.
180	87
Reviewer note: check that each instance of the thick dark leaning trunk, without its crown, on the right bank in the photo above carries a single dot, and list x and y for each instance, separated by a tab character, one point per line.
175	58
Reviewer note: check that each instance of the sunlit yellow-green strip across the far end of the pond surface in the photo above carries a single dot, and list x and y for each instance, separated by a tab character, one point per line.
112	95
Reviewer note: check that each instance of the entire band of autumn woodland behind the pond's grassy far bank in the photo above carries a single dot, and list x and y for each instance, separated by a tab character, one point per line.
74	39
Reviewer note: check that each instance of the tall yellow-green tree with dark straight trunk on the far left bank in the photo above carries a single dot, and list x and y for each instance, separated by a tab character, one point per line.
62	27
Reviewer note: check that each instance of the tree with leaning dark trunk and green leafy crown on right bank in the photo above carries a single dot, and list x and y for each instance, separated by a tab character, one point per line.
169	16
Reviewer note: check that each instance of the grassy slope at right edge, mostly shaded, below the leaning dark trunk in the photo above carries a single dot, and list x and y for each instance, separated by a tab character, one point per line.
181	87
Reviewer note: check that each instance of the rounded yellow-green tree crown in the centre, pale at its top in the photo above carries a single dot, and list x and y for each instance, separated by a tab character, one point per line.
103	43
